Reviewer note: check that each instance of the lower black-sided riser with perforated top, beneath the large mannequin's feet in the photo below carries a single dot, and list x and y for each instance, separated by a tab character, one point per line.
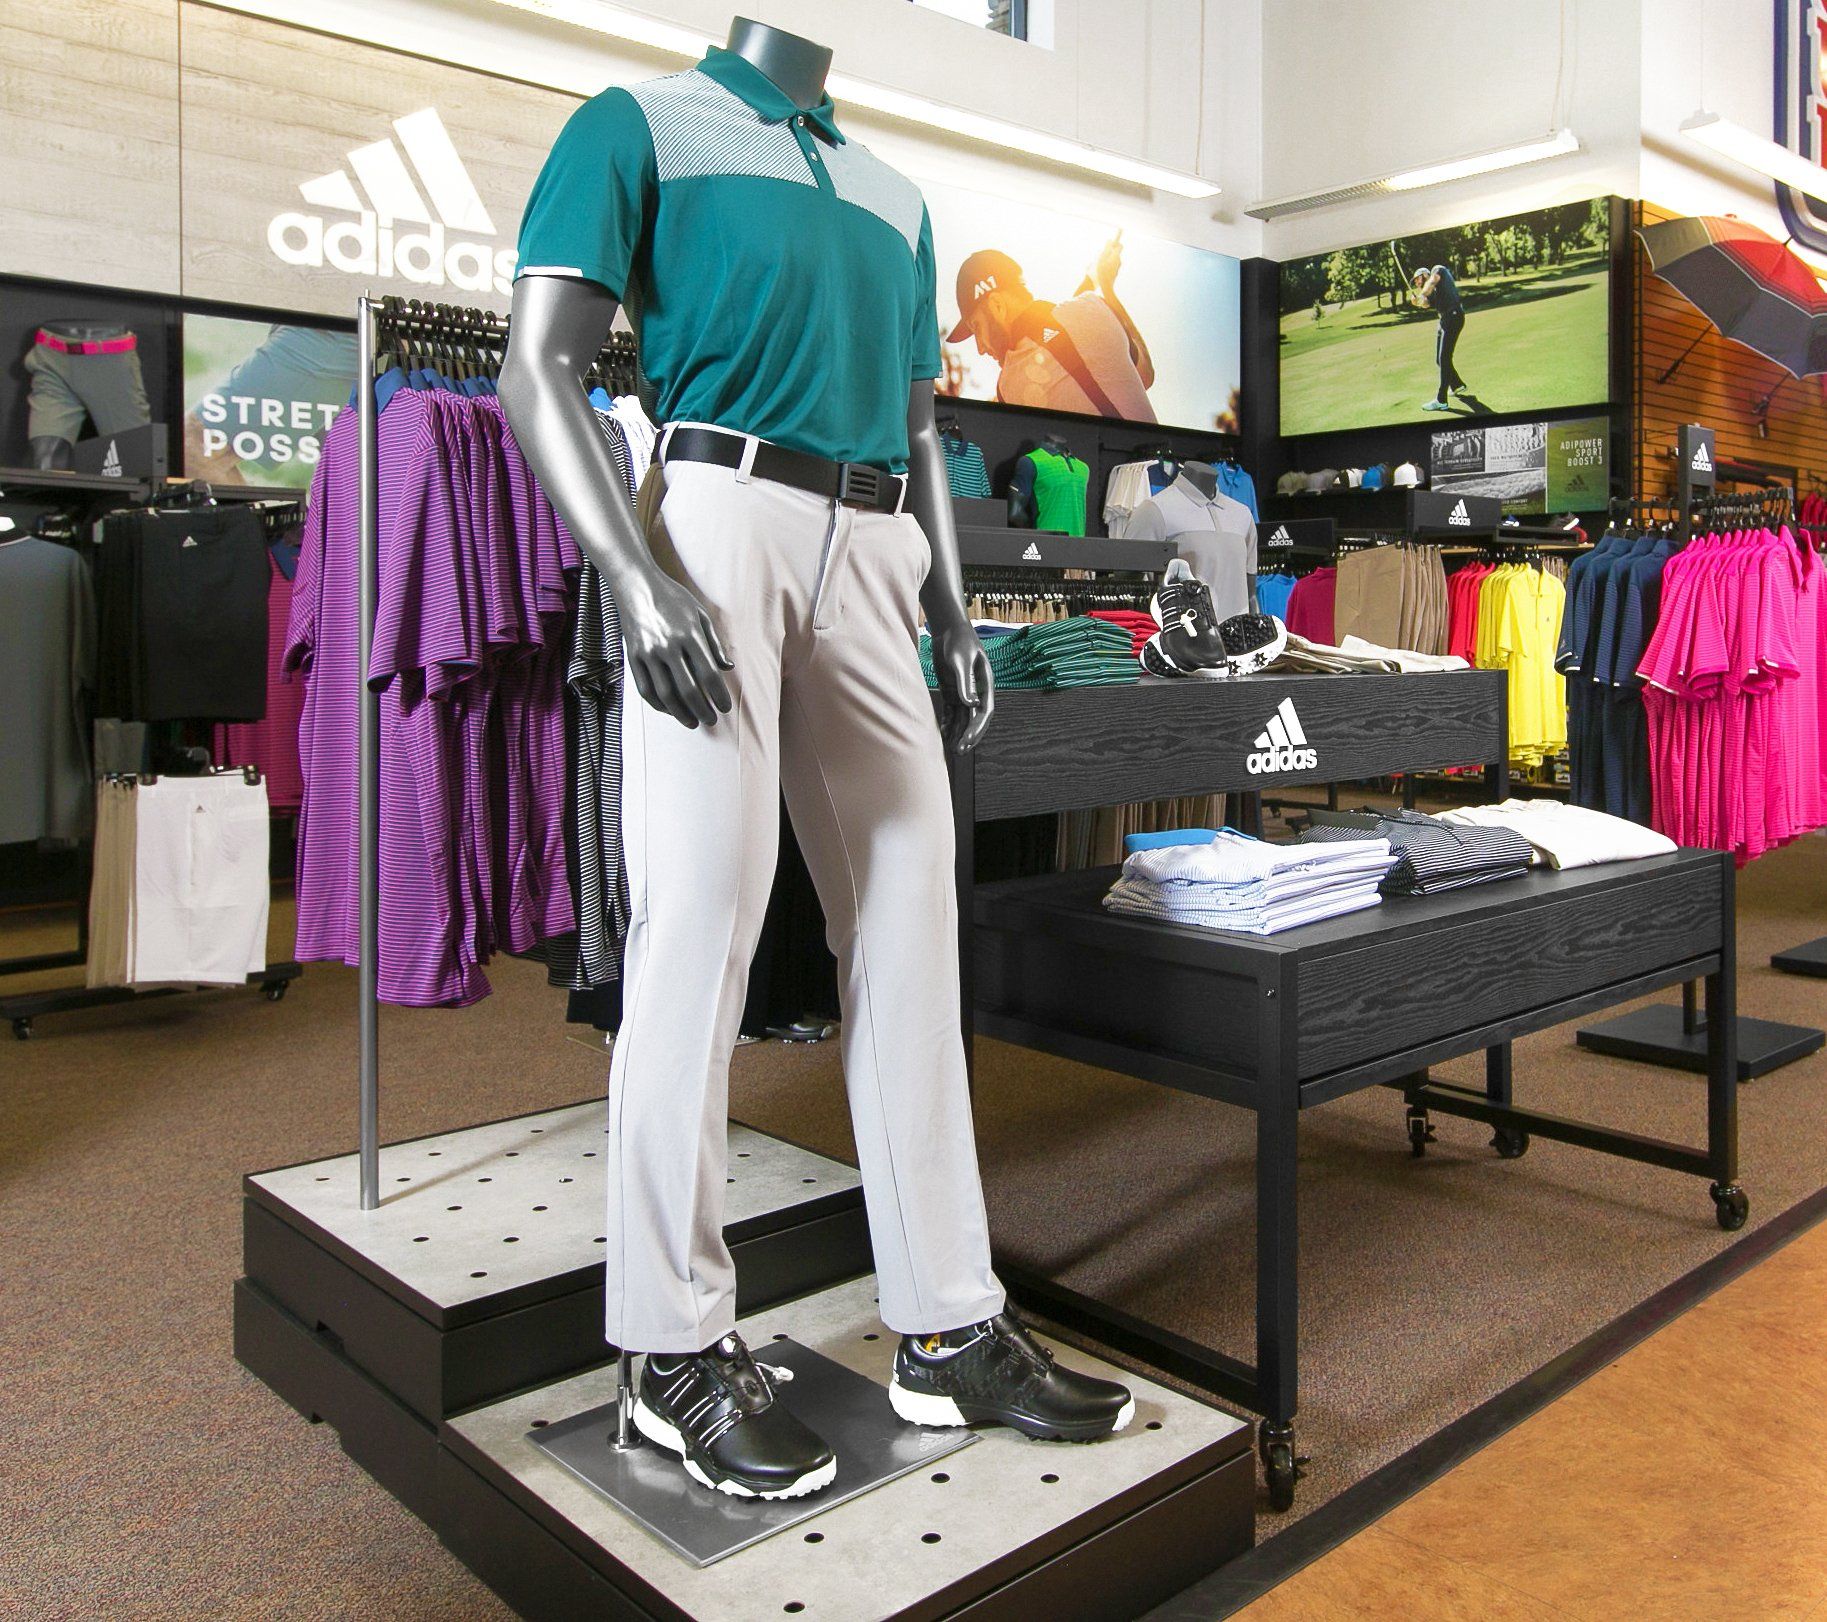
1128	1532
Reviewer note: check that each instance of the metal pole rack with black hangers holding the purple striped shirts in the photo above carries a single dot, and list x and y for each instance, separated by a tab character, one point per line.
472	342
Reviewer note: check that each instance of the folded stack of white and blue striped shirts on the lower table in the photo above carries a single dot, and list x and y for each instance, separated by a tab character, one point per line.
1240	883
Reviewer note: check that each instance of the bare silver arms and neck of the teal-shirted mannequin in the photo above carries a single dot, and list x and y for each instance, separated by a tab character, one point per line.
673	651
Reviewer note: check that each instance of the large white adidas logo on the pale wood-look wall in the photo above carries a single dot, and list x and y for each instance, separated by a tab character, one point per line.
368	246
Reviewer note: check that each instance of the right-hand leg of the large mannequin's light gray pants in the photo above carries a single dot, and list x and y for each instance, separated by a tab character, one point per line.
867	790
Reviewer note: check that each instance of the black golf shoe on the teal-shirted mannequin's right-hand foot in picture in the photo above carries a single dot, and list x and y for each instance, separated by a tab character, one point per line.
998	1373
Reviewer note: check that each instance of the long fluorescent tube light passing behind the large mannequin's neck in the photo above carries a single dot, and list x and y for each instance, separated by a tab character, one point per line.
639	30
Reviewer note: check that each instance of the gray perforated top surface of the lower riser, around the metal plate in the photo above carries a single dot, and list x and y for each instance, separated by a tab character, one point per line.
871	1557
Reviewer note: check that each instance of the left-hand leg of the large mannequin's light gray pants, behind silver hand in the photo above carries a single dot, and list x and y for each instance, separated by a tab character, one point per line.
701	816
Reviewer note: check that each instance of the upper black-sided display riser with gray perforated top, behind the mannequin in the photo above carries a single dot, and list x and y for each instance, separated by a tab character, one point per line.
441	1314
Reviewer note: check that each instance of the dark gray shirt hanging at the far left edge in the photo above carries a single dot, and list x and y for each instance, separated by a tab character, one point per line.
47	673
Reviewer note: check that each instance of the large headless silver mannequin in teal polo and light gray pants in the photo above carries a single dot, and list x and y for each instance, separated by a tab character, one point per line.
794	529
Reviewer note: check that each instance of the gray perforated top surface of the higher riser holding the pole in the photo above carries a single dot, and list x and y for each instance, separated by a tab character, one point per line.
472	1214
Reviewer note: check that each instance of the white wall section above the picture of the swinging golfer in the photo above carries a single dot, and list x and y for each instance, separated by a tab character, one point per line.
1355	90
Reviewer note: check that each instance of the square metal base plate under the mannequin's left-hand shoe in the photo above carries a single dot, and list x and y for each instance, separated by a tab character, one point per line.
845	1407
